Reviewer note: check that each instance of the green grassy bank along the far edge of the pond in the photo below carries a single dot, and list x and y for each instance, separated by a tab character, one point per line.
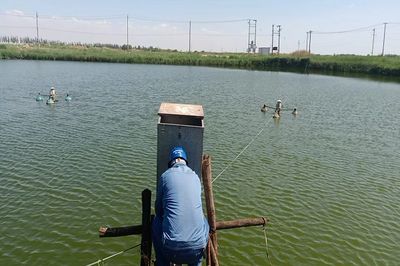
340	64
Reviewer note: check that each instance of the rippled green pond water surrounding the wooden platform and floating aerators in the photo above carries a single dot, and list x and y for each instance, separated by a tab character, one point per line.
328	179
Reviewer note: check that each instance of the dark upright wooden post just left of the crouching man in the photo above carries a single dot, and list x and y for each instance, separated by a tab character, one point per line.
146	226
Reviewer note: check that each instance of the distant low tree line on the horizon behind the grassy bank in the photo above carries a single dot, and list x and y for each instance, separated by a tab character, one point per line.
29	40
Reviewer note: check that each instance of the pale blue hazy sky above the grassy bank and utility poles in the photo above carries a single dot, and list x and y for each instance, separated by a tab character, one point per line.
165	24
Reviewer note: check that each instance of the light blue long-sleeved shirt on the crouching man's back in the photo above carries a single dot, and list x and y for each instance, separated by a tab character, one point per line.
180	206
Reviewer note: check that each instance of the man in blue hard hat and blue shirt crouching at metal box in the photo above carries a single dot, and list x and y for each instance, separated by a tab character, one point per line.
180	230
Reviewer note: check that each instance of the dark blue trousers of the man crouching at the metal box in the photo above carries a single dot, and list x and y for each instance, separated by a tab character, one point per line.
165	255
